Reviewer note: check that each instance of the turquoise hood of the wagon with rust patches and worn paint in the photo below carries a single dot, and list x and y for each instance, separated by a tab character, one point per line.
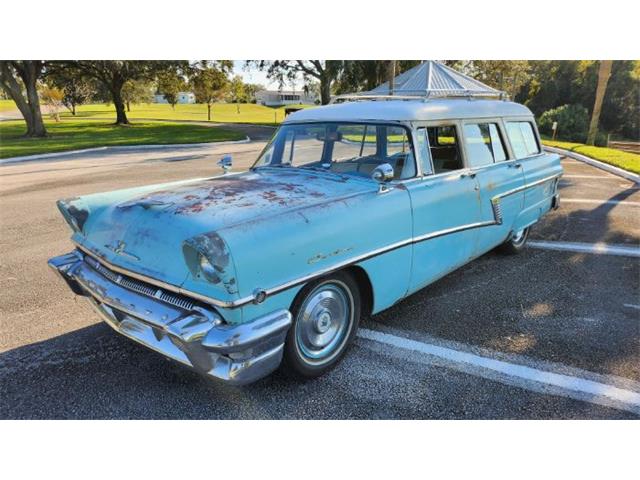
145	229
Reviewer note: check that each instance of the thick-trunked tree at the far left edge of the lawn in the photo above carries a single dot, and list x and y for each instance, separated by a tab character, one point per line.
18	76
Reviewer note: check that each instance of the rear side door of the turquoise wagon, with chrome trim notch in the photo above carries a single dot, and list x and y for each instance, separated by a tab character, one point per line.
499	177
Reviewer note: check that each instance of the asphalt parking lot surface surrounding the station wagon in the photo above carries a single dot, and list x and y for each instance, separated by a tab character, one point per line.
547	334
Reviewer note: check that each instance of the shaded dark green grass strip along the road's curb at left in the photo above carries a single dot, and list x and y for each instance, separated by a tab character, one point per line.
73	134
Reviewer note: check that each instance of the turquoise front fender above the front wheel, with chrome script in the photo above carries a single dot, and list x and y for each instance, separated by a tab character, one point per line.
280	254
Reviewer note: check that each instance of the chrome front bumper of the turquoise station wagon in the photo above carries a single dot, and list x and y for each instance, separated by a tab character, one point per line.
197	337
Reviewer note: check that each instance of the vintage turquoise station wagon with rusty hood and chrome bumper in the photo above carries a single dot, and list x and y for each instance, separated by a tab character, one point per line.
349	209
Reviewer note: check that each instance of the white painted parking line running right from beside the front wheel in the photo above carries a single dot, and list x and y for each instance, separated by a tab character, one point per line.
566	385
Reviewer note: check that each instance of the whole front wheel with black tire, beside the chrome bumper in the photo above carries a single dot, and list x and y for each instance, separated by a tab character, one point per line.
326	314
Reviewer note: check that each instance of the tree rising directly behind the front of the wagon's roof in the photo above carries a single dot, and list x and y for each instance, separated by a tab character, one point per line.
324	71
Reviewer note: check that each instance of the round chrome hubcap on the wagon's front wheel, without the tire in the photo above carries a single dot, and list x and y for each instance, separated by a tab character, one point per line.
323	322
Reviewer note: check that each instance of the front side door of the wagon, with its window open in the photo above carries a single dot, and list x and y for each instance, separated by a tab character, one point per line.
446	208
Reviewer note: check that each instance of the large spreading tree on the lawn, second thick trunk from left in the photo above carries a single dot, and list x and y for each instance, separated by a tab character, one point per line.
114	74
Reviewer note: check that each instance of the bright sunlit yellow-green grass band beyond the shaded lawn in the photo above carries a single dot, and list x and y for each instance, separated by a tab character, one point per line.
220	112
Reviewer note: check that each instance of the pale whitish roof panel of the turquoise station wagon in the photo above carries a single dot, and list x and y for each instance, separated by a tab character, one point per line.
410	110
